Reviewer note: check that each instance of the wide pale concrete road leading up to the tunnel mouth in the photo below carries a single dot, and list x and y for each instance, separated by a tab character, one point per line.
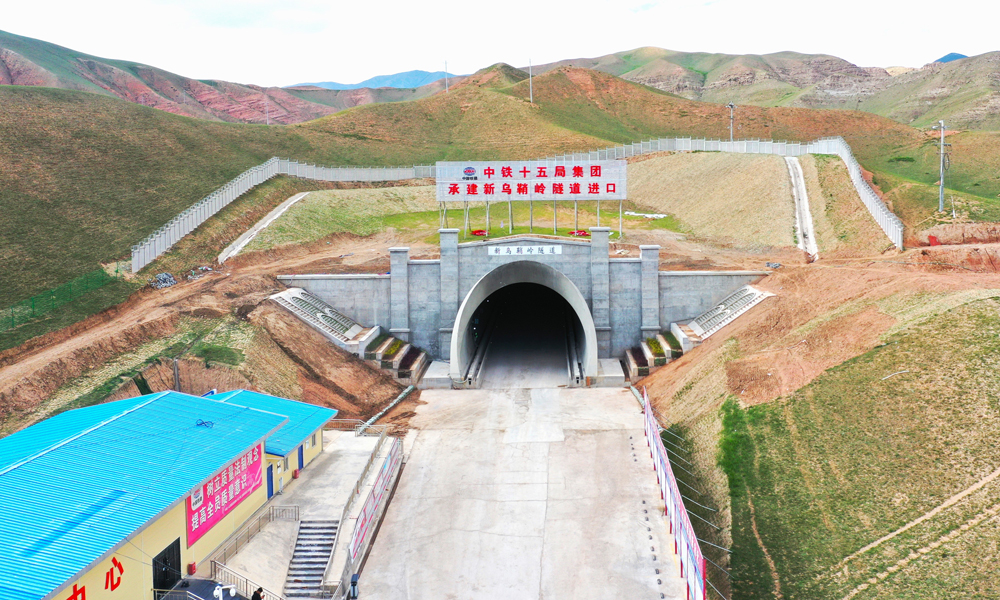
525	494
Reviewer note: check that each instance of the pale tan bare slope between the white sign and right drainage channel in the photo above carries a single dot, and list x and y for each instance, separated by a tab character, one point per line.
745	199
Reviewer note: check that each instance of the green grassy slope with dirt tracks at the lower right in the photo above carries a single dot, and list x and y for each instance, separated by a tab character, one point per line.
855	456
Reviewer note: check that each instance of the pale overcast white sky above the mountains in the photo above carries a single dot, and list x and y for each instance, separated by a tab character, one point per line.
283	42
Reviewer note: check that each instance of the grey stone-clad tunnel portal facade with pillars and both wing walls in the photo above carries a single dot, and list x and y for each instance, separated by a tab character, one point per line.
628	298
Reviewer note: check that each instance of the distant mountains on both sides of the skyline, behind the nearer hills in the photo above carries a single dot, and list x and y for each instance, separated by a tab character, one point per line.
964	92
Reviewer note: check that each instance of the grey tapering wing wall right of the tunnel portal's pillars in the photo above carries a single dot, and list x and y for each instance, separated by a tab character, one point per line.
686	294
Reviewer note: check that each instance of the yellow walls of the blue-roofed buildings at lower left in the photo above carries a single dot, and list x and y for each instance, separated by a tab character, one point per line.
136	556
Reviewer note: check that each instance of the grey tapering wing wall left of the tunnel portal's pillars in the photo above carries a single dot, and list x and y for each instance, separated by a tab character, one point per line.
364	298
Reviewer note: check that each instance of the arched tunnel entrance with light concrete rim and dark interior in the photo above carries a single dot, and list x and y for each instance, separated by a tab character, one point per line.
524	324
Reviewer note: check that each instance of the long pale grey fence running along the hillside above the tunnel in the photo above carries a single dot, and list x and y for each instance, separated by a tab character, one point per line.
169	234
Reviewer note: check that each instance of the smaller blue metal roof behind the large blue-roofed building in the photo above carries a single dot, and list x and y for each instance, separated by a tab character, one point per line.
303	418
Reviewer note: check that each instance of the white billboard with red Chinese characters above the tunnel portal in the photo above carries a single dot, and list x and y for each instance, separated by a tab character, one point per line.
531	180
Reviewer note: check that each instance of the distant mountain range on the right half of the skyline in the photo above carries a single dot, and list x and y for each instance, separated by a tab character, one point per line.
964	92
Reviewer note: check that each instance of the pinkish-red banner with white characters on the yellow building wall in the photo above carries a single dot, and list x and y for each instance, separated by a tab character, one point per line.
210	503
